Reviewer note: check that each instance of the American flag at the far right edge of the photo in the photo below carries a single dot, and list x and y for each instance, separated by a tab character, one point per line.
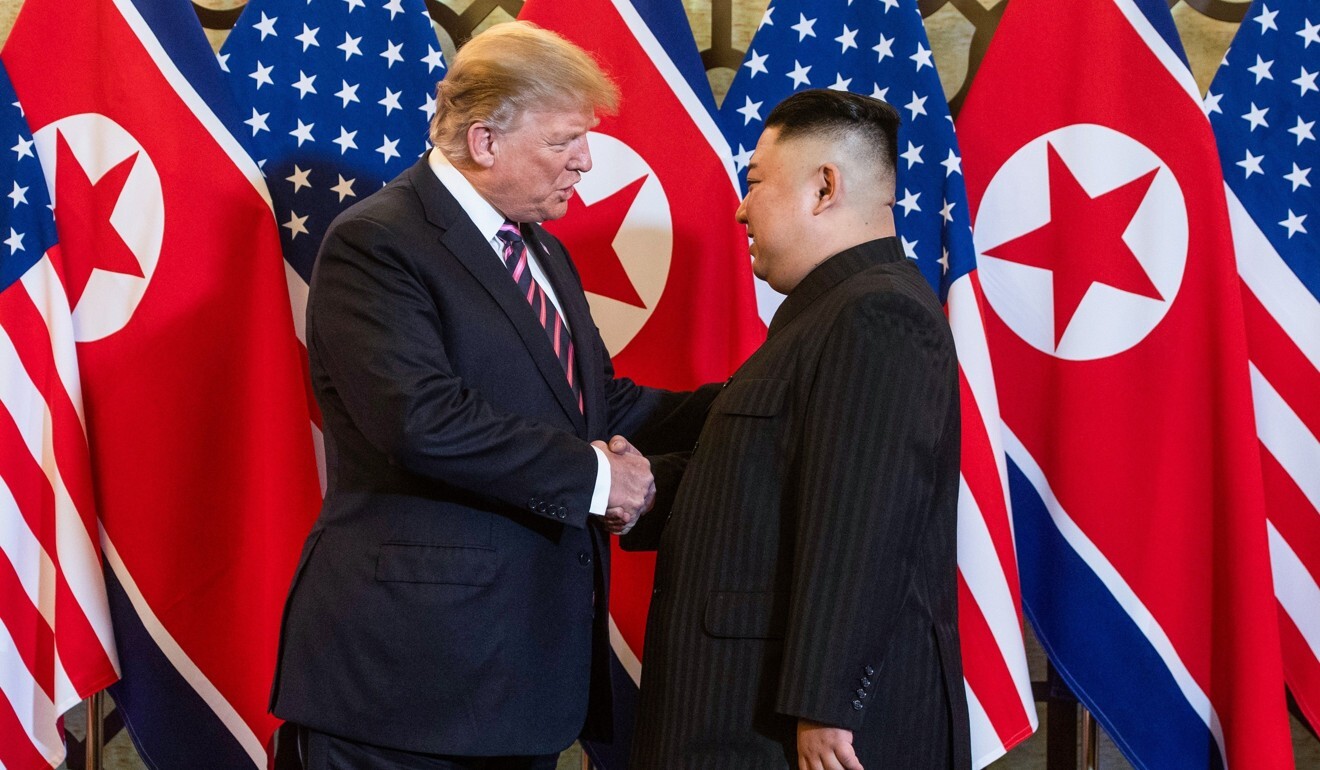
1264	106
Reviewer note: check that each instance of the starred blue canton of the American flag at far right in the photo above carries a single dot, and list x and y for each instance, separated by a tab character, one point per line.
1264	105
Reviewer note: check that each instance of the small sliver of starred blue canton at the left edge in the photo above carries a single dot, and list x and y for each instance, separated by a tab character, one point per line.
27	220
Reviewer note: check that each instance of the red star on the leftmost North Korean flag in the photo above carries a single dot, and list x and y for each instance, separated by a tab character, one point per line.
88	240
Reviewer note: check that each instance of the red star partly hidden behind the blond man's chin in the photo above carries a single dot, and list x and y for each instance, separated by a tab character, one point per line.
591	232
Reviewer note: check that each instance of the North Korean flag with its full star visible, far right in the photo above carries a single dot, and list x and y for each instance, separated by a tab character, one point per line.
1116	328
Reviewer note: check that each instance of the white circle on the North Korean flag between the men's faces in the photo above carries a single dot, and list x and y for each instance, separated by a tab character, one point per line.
645	242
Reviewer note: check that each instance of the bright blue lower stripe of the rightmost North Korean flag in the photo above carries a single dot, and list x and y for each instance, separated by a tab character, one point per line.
1099	650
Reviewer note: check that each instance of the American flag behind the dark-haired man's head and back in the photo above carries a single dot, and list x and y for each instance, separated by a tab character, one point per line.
880	48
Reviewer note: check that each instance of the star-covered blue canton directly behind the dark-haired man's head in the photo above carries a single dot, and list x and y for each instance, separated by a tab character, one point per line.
877	48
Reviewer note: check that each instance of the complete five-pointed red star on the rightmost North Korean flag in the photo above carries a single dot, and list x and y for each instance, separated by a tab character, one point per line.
1083	244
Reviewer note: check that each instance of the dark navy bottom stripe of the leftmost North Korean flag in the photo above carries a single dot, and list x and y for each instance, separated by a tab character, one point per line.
168	720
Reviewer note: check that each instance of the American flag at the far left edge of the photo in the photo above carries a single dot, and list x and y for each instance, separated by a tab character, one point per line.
56	641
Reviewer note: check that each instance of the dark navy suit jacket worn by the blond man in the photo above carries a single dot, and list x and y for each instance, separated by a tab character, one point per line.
453	590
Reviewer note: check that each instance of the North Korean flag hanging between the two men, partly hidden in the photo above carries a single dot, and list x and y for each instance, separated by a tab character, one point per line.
653	233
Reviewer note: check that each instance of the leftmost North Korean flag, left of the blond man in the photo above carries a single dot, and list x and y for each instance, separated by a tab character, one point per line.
196	406
